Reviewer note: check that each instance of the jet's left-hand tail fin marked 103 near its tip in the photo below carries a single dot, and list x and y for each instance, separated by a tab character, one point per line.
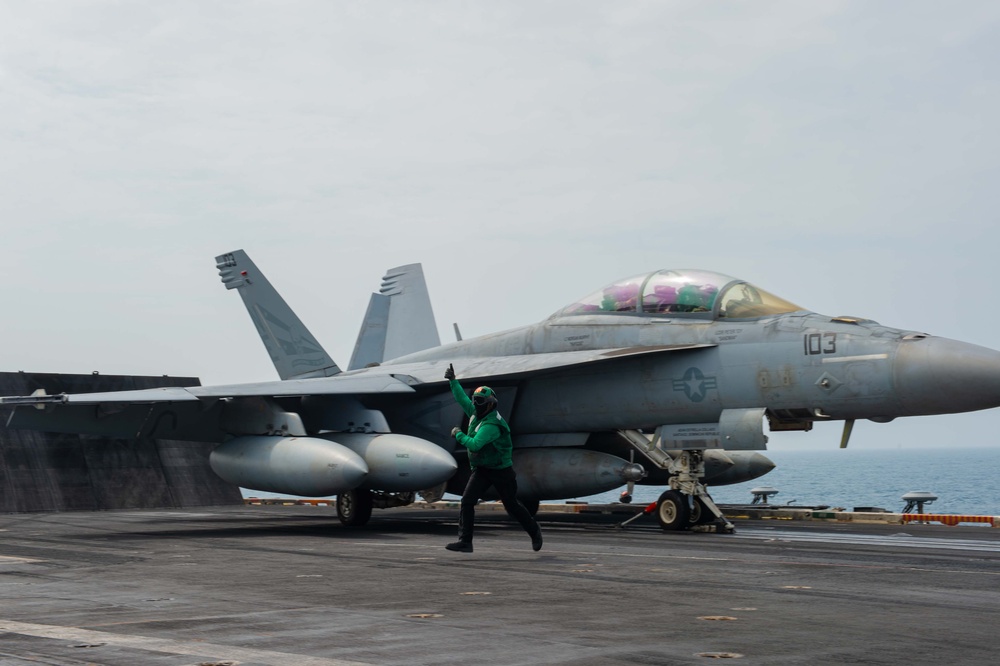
293	350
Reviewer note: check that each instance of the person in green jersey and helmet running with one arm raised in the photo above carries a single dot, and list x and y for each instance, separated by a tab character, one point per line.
490	448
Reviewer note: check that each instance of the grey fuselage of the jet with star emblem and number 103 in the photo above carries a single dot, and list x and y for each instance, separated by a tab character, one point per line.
800	366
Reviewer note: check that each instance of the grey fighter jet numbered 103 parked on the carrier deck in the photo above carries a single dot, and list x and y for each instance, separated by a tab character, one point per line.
680	369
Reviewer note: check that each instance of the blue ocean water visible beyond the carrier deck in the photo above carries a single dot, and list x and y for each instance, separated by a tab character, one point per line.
966	481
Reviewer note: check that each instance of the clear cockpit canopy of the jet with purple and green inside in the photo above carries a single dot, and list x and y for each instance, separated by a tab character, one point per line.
696	293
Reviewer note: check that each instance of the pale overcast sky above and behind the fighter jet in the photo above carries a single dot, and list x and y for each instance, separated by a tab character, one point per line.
843	155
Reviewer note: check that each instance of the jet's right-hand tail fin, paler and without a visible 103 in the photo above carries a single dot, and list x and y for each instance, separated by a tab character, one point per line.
399	319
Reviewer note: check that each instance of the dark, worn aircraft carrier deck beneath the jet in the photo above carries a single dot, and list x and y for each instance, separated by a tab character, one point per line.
287	585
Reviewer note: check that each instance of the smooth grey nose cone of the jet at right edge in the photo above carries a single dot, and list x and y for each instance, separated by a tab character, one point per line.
942	376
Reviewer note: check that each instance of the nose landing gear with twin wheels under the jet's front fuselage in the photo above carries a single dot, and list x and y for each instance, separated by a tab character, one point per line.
687	505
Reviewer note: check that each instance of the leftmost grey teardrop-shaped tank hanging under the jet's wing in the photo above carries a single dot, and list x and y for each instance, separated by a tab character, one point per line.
295	465
